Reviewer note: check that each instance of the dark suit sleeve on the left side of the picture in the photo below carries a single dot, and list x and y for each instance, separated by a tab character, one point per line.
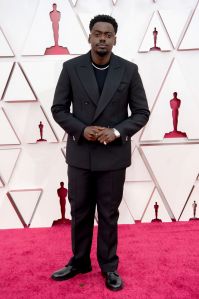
61	108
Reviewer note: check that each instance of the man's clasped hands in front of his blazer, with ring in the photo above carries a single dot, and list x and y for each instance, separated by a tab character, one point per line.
102	134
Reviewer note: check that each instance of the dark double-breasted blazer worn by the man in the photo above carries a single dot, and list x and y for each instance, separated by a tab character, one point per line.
121	105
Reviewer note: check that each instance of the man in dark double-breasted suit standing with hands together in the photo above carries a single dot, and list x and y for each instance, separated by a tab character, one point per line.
100	87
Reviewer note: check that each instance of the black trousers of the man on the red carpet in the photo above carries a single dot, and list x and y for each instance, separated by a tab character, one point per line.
86	189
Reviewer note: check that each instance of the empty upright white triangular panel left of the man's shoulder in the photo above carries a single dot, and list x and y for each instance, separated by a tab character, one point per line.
18	88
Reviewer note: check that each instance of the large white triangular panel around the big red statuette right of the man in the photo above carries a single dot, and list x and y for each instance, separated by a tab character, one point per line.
160	121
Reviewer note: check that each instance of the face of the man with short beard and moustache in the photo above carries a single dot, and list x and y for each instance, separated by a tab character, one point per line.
102	38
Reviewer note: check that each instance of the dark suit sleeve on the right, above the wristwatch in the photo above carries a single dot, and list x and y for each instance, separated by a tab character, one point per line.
138	106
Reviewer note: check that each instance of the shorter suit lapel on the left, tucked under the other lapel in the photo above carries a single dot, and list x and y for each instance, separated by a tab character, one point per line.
86	74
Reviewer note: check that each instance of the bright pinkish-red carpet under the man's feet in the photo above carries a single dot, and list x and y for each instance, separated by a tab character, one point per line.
156	261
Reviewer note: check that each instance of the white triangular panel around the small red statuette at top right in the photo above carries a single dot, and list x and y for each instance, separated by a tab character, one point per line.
163	40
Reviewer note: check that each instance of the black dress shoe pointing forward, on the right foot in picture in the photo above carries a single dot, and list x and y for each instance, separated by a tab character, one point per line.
113	281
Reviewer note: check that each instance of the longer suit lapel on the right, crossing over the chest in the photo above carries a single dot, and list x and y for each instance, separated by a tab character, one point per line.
113	79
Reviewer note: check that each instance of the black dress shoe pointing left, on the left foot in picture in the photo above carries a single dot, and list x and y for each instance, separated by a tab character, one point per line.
68	272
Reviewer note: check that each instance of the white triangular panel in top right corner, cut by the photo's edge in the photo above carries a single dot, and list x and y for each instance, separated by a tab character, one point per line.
191	38
